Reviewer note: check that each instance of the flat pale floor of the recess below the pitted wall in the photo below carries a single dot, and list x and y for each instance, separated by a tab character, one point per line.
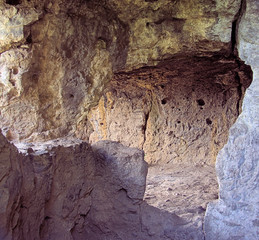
182	189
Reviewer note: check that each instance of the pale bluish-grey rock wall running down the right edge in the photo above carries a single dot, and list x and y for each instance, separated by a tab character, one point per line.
236	214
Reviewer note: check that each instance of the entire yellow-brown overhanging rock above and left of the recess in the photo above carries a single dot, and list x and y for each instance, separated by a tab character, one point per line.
57	56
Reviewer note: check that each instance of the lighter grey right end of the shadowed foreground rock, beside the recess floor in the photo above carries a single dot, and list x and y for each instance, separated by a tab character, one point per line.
126	165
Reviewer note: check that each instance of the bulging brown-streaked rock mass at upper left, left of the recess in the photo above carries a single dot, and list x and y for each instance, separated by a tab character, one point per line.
67	56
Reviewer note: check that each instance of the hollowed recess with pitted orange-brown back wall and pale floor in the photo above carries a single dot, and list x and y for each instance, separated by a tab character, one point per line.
179	113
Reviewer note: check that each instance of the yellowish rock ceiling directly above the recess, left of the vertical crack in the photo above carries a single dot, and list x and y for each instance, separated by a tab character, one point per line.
159	29
